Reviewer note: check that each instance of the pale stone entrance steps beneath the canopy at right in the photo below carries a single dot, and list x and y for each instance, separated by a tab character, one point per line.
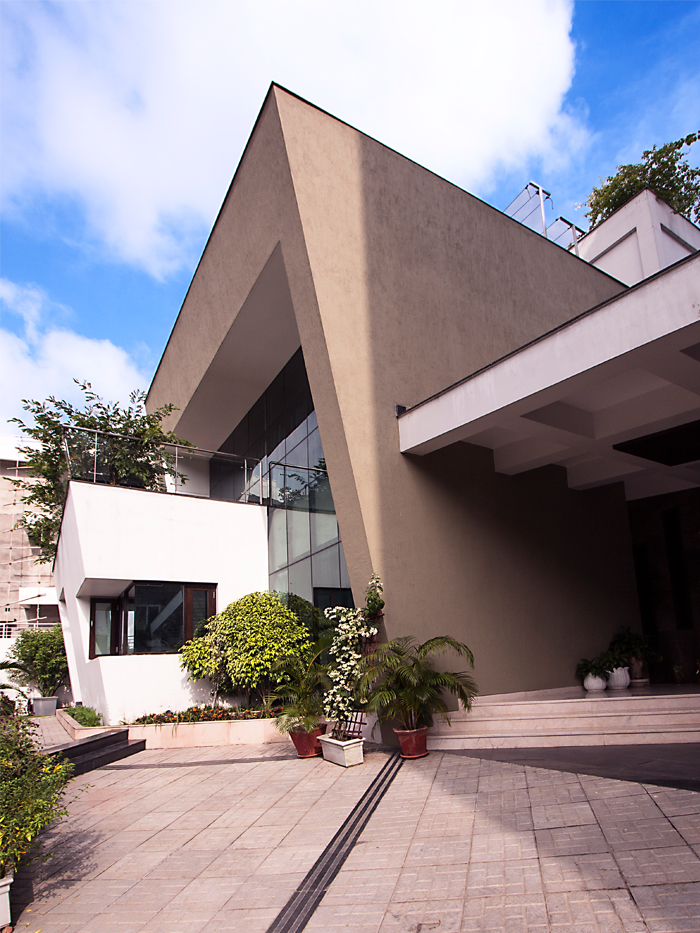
552	718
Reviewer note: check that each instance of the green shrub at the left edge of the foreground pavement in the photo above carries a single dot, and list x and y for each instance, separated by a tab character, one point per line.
31	787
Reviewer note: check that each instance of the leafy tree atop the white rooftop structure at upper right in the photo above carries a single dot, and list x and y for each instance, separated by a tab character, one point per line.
665	170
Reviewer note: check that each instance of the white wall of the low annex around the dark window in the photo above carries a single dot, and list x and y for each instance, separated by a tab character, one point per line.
111	536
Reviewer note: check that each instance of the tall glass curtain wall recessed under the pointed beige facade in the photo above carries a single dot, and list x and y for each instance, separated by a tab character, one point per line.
305	551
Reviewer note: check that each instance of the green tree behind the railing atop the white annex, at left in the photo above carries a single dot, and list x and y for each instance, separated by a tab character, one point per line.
128	452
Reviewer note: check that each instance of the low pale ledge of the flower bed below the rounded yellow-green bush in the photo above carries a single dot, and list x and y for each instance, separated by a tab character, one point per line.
208	734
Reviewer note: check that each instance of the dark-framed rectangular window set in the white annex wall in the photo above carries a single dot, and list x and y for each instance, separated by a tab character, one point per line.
150	618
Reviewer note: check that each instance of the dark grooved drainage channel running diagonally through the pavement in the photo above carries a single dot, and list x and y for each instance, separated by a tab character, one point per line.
300	907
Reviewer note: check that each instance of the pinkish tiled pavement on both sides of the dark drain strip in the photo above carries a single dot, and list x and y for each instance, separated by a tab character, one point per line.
167	843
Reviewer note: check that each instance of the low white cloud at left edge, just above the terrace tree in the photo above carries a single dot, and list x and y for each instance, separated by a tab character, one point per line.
44	359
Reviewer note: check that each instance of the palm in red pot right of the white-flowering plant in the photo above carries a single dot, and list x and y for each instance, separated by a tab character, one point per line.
399	683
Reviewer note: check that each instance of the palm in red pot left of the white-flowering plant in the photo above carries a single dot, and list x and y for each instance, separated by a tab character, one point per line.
305	678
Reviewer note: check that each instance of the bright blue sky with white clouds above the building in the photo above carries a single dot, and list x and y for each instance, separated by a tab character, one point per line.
123	122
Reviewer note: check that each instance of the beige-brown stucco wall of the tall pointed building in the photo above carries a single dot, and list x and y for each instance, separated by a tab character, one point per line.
401	284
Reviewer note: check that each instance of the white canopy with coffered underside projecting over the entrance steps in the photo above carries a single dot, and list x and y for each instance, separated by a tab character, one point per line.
621	371
